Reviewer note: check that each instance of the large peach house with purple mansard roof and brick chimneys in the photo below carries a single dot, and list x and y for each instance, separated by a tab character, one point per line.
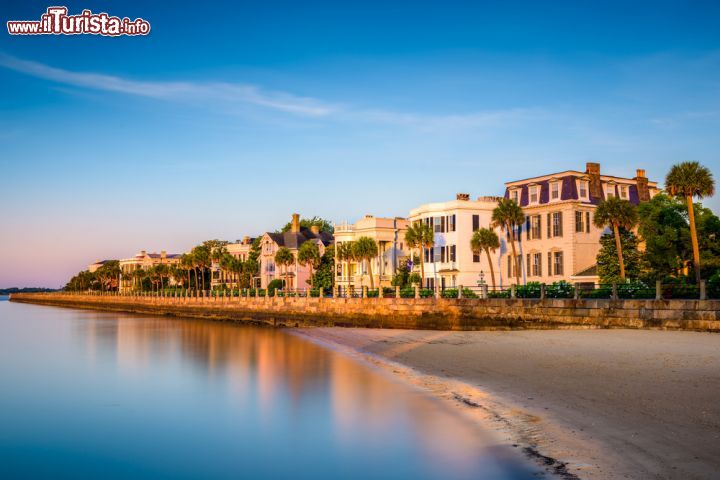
558	240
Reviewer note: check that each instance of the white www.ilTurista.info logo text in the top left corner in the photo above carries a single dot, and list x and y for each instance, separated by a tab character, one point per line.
56	21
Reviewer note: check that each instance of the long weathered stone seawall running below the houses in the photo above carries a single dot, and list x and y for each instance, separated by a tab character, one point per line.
410	313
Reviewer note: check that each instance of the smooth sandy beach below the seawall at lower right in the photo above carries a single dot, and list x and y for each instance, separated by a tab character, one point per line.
595	404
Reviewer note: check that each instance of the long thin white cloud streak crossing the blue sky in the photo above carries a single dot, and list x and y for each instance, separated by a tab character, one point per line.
236	93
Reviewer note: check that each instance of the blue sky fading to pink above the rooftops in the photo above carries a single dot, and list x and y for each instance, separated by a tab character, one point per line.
224	121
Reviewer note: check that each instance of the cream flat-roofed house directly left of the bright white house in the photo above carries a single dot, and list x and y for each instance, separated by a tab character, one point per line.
388	234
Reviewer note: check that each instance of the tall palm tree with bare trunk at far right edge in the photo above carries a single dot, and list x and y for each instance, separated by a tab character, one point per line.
687	180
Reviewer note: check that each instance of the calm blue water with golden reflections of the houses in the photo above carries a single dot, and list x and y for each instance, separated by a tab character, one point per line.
87	394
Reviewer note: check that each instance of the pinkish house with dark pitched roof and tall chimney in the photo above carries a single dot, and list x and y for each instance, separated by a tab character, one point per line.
298	276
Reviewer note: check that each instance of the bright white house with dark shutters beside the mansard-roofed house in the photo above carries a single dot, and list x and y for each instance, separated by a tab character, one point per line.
451	262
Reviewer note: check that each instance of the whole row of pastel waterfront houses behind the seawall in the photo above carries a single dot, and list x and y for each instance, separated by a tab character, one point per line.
557	241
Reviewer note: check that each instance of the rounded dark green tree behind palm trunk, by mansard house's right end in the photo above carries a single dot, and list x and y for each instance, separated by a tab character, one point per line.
608	263
